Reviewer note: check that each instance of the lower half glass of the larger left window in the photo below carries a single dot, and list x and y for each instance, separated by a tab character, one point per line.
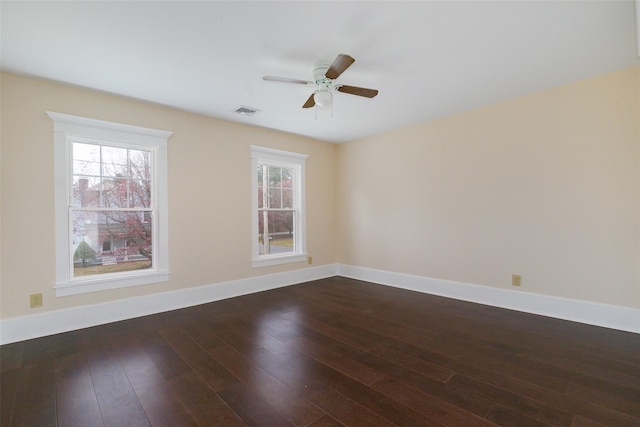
110	242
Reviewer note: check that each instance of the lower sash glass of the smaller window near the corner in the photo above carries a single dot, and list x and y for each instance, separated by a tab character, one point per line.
275	232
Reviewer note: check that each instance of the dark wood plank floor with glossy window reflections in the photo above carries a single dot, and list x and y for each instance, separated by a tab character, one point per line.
327	353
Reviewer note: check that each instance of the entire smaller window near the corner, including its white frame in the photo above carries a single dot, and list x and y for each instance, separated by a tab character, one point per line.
278	204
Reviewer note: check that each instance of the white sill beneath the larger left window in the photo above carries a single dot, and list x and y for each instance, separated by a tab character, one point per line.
83	286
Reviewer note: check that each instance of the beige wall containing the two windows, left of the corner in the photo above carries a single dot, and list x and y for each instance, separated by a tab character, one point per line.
209	192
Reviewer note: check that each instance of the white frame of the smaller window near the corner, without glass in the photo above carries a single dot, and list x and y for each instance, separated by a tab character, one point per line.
296	161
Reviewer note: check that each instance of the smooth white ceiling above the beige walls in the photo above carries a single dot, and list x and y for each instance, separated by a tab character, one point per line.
428	59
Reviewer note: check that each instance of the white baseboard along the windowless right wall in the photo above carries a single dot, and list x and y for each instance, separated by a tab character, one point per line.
608	316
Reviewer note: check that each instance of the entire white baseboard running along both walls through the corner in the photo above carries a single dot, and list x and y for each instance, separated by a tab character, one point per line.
53	322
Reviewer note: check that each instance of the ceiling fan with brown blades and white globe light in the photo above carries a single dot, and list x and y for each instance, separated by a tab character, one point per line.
324	82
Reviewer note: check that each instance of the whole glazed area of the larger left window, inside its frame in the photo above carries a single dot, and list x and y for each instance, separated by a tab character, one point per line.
111	209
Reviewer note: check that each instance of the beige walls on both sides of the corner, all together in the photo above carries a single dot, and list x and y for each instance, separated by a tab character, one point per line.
546	186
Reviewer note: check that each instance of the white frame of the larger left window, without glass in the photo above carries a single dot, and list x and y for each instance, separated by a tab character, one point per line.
66	129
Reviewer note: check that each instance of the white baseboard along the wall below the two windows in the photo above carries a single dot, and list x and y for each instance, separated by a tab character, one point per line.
54	322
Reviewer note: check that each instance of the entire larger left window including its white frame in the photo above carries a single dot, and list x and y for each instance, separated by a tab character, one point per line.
111	205
